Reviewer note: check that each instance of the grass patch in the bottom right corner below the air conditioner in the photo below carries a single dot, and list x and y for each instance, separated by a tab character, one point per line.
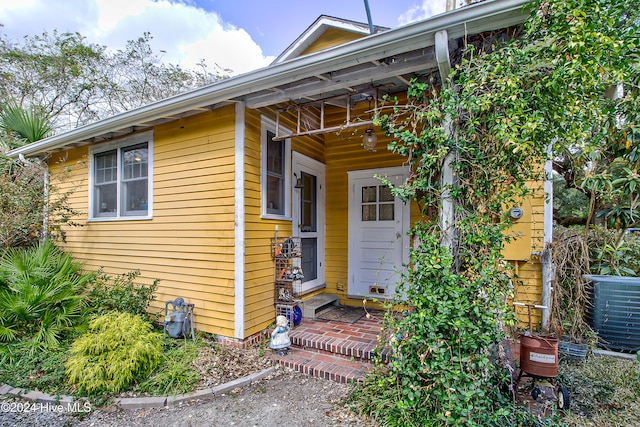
605	391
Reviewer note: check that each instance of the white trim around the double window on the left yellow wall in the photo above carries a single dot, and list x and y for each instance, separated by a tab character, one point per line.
138	138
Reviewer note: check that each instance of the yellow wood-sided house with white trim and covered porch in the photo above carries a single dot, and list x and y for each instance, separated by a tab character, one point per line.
192	189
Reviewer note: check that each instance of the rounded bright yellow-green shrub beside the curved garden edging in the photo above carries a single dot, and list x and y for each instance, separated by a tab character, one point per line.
118	349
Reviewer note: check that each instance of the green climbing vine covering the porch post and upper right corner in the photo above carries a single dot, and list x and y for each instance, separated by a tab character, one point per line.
504	104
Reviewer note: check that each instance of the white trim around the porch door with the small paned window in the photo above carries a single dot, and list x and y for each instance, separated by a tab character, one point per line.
354	215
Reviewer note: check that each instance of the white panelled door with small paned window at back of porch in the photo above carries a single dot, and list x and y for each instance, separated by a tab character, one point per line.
378	241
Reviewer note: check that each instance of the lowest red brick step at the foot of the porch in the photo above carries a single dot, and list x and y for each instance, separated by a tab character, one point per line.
322	365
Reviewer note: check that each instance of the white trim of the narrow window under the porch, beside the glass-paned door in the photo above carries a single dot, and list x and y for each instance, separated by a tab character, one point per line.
269	125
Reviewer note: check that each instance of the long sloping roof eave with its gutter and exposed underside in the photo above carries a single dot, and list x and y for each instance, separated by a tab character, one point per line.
385	60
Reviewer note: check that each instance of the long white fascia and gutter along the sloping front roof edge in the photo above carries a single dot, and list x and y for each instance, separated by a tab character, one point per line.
484	16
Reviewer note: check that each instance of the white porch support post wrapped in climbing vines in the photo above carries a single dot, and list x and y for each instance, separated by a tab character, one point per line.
447	180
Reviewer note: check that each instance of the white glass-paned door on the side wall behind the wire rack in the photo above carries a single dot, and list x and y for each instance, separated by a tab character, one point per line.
308	218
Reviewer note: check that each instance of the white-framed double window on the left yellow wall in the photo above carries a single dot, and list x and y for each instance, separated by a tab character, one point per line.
120	179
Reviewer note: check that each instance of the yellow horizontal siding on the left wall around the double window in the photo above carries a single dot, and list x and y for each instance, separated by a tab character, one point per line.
189	243
